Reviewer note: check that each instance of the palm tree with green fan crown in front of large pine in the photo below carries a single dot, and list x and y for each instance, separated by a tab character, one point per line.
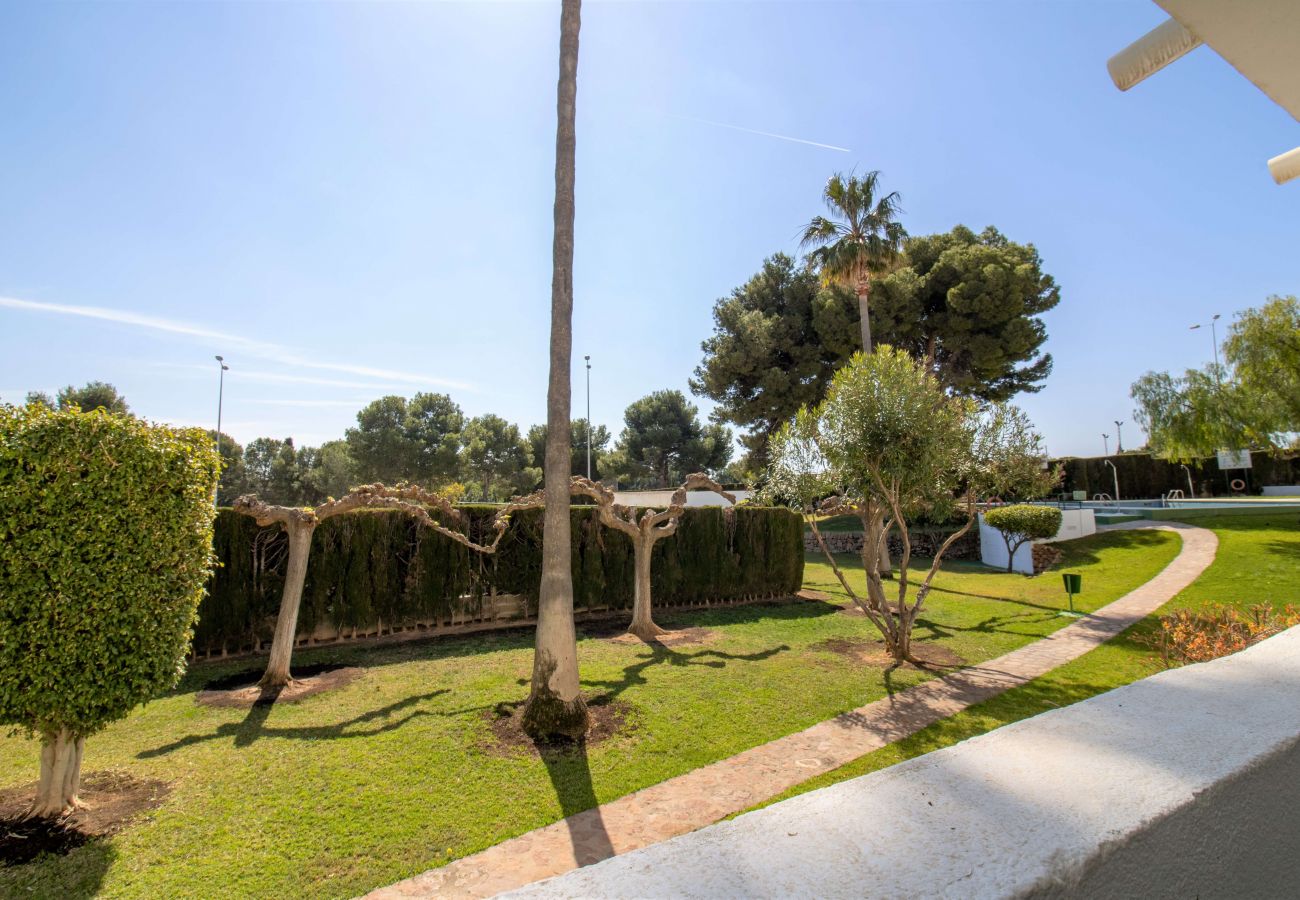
861	240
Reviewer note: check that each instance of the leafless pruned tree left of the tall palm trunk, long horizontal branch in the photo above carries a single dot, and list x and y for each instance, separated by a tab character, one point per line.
300	525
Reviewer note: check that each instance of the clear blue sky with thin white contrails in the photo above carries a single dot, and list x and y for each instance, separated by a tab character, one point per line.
356	200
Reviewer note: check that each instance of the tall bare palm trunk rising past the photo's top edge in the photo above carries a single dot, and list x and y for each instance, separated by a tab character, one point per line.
556	704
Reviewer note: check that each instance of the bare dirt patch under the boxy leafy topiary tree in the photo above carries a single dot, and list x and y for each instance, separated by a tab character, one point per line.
111	801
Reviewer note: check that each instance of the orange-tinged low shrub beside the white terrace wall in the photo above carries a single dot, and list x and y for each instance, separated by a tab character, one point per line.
1186	637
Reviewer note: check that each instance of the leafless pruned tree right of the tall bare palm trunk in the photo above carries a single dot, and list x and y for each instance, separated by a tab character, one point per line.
645	531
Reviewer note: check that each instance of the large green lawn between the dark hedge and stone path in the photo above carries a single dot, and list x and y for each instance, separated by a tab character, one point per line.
391	776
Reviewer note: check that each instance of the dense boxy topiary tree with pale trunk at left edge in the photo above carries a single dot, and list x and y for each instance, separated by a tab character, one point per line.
106	544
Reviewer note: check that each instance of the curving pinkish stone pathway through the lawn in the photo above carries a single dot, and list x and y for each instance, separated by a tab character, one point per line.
707	795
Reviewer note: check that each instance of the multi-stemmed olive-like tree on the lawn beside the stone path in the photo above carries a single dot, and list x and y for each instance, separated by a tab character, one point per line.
887	444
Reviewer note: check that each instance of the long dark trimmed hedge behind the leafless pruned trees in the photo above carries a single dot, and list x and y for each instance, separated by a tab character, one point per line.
375	572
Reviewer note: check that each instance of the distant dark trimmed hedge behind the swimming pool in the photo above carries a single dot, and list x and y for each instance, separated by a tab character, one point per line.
1143	477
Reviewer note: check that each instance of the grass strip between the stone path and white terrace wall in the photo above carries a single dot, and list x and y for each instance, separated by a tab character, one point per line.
1258	562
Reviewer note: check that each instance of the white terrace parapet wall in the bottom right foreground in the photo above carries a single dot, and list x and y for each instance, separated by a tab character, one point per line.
1180	786
